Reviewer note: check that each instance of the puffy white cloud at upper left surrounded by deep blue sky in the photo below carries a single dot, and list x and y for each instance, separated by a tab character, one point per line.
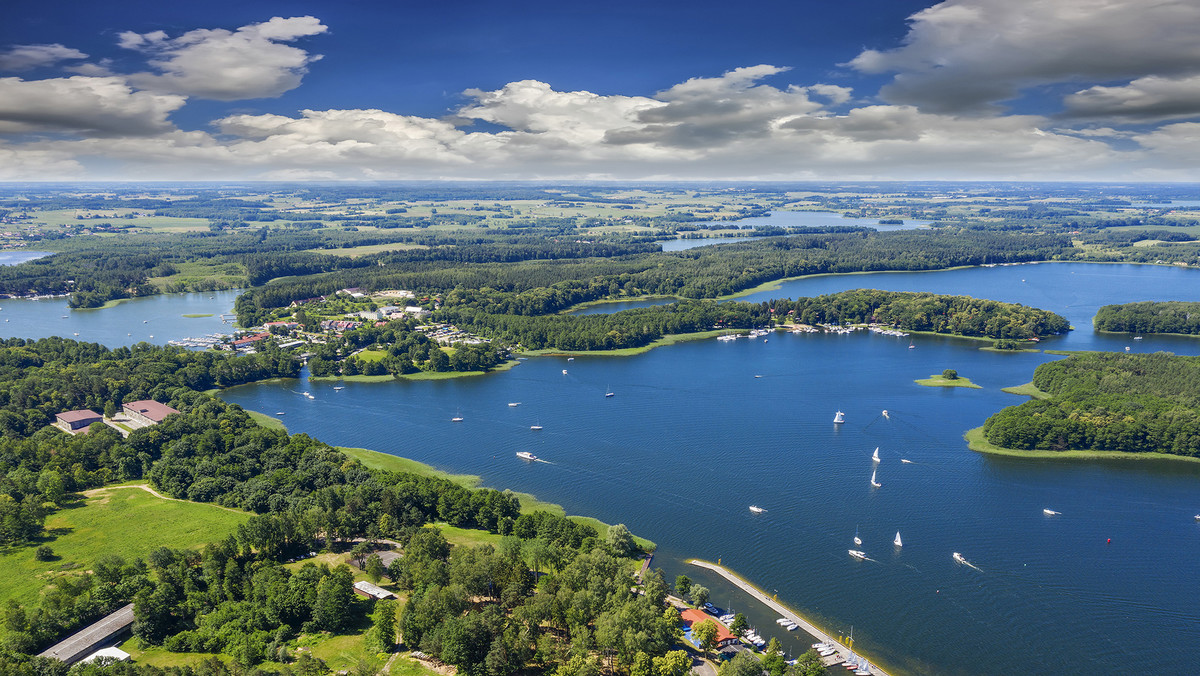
227	65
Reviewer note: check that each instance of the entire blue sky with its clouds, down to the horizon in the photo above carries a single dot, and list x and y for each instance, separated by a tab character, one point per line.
862	89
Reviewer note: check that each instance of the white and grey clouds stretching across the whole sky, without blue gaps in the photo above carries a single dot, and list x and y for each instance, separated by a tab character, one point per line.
1123	80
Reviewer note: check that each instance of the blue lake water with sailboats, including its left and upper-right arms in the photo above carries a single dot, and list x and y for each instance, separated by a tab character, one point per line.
693	438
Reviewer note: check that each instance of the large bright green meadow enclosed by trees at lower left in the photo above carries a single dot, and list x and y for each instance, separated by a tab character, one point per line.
123	521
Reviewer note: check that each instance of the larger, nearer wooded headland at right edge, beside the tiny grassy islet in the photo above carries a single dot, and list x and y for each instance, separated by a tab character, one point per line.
1108	402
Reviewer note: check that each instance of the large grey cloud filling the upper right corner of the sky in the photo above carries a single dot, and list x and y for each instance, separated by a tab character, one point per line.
964	56
